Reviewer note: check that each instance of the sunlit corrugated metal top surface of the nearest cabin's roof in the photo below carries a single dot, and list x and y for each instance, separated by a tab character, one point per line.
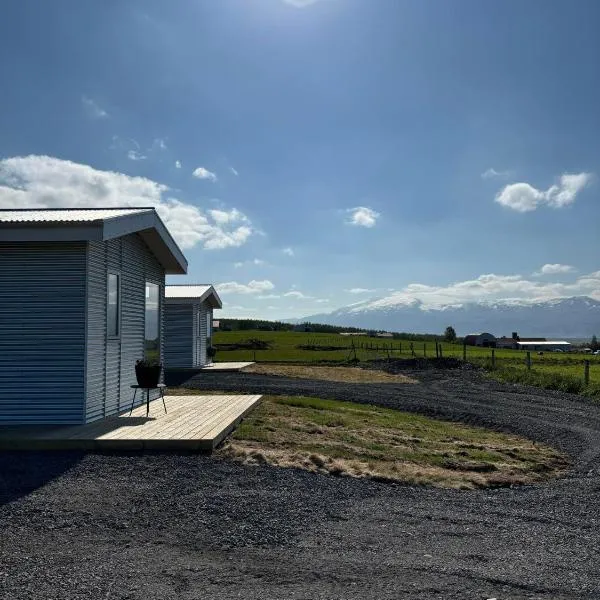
67	215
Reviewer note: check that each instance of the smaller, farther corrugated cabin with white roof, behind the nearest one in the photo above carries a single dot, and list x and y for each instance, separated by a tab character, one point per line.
189	324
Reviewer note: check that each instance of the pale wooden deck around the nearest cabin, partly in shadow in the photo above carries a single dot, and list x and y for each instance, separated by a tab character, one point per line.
192	423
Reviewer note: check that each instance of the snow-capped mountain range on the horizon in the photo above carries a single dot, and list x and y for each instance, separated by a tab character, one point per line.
578	316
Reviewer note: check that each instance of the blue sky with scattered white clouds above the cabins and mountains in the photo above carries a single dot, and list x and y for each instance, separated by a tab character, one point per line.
307	155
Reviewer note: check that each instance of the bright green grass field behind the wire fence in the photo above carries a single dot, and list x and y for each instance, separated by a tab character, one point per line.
284	347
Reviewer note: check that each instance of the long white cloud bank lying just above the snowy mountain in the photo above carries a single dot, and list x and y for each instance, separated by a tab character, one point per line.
489	287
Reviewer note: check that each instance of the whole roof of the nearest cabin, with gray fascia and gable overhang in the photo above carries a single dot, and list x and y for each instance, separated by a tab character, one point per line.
94	224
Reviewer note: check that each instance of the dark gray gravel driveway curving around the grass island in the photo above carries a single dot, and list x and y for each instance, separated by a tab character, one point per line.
185	526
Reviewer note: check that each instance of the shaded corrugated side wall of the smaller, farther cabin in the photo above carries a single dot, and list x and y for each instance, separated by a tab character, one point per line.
179	335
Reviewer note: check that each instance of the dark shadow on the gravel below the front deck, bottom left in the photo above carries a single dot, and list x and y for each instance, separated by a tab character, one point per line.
24	472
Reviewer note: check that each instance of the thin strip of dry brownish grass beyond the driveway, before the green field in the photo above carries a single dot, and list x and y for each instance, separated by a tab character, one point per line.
341	374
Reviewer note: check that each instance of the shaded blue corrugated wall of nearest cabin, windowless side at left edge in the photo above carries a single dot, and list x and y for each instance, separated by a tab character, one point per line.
42	332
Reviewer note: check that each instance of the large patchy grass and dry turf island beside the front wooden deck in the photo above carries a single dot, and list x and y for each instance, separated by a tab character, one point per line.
344	438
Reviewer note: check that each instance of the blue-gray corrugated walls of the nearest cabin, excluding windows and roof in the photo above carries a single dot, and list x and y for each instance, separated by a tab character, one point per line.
57	365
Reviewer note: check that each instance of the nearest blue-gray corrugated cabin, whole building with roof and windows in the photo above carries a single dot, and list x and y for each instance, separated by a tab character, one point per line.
81	300
